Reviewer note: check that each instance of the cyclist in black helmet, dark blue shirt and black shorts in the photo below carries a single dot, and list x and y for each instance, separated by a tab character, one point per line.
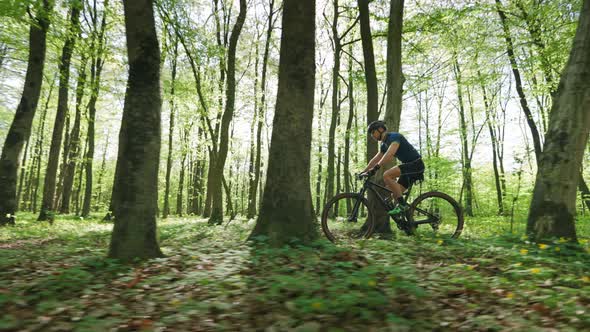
407	173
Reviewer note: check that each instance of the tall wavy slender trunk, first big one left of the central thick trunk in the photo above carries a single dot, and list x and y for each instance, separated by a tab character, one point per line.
216	193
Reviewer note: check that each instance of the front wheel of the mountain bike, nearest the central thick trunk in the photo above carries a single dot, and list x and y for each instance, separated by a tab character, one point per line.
340	221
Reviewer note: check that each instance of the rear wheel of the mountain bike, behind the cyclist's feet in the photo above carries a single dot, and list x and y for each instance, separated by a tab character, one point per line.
438	213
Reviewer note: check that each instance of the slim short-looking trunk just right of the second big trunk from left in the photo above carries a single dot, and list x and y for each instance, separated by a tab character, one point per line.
74	149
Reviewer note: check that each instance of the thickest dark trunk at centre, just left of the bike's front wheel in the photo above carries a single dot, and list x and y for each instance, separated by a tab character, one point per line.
287	214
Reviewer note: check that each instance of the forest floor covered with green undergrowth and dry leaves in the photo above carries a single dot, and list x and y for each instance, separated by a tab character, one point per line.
56	278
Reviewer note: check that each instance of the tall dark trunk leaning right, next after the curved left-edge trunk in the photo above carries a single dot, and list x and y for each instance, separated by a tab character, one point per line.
47	204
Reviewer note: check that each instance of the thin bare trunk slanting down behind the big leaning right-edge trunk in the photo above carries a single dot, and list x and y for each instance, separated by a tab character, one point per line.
518	80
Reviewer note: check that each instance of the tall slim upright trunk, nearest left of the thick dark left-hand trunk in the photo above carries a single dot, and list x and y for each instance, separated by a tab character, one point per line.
95	74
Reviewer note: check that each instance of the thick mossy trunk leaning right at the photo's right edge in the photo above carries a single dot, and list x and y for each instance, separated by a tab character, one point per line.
552	211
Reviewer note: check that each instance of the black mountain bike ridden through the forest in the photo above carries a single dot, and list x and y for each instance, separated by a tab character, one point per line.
349	216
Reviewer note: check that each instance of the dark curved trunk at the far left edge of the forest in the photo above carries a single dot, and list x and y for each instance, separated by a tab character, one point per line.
20	129
